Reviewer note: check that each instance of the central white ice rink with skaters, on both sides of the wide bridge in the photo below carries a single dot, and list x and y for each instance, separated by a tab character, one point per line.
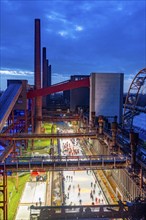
80	187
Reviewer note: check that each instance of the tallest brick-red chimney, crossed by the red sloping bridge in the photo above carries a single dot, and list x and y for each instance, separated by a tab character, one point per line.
37	70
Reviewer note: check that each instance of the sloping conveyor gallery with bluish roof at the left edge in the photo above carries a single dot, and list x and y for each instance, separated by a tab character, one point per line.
7	102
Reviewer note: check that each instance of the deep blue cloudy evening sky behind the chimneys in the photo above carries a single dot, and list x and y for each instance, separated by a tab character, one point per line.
81	36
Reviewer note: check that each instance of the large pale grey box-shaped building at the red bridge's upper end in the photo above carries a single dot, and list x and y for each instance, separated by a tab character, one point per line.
106	94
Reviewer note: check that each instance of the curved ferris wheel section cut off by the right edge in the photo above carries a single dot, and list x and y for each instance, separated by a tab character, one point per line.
137	87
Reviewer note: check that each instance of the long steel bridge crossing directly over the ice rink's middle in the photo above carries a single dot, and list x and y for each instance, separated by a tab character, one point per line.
62	163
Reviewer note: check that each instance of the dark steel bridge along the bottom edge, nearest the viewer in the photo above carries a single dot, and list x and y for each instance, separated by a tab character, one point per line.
122	211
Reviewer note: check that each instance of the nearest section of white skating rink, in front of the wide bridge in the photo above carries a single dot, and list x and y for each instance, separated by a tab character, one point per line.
81	188
